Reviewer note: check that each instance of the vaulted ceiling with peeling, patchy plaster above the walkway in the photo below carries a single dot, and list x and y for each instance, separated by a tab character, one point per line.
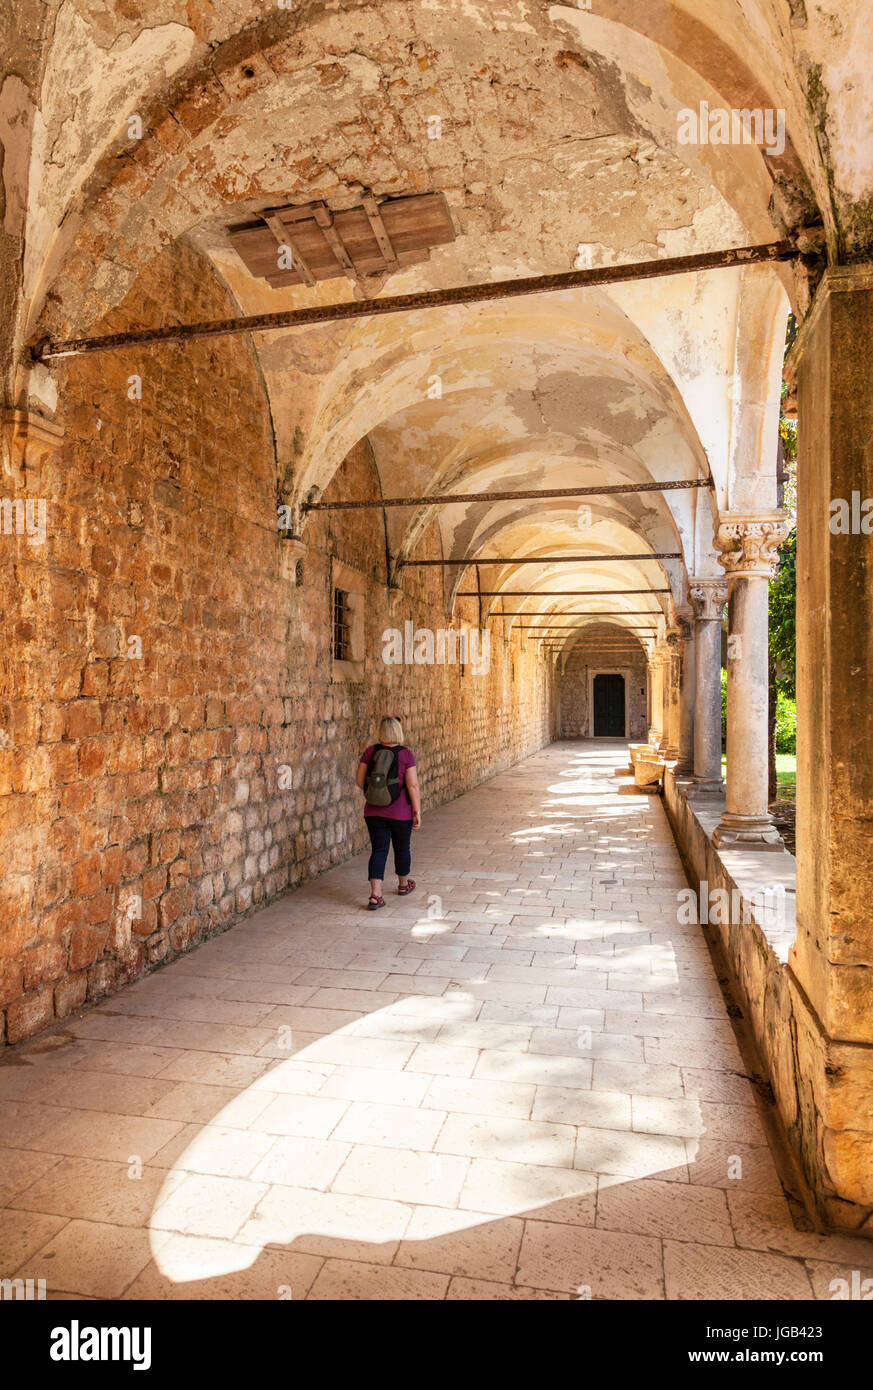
555	136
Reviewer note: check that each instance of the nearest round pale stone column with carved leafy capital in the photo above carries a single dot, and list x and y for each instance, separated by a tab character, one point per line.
749	544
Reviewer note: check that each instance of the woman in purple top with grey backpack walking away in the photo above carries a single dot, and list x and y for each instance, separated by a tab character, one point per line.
387	776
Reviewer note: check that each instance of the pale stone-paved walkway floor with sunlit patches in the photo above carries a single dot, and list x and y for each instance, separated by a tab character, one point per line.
518	1084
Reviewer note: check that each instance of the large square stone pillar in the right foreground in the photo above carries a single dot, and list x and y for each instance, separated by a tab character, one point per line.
832	961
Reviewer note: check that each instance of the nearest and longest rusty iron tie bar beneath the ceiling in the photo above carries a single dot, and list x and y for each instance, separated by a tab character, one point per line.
425	300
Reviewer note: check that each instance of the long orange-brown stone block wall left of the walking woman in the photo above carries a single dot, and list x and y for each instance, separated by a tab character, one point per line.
177	744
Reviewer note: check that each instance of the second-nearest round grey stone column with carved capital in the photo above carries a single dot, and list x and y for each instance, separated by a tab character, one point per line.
708	598
